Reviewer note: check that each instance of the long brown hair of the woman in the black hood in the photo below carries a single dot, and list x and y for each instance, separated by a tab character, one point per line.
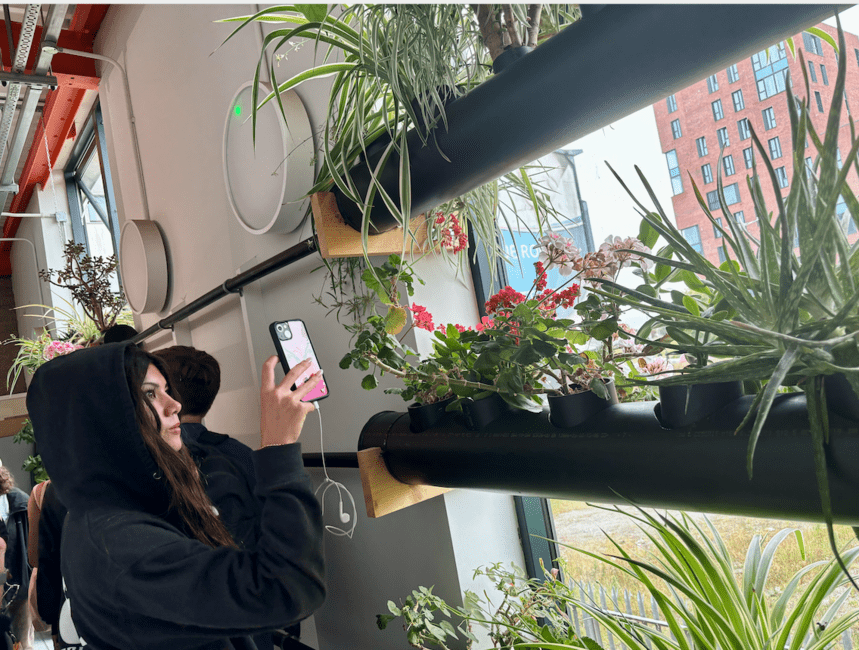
188	499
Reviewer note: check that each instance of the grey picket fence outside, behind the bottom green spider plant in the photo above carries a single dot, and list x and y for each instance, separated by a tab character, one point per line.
624	606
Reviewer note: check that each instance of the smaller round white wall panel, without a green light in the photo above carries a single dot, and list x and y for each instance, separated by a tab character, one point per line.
143	262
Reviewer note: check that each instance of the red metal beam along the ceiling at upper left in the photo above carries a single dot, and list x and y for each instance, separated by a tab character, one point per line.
75	76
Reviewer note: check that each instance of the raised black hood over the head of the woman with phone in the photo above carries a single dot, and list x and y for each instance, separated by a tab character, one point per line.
84	423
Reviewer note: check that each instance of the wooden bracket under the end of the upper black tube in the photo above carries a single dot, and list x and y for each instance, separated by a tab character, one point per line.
337	239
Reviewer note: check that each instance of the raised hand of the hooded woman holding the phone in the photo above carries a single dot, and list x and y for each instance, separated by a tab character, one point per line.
282	412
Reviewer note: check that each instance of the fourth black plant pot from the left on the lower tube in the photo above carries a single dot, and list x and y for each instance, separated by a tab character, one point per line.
683	406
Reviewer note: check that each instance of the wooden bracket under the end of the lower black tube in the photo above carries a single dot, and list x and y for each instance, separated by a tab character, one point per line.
383	493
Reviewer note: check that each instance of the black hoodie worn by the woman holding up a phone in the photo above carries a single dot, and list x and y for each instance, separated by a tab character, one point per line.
135	579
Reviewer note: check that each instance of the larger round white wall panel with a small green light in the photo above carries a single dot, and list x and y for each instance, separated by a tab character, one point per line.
267	181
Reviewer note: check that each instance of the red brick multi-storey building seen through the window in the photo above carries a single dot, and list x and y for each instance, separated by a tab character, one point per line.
695	122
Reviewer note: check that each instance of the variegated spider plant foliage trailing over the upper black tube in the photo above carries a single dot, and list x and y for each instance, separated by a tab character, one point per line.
395	67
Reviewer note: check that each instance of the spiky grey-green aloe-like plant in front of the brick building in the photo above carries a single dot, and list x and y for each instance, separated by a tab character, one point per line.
785	306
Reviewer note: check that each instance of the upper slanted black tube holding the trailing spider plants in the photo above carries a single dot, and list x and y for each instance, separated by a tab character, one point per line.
605	66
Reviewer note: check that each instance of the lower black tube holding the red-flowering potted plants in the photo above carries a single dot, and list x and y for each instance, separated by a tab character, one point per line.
625	451
